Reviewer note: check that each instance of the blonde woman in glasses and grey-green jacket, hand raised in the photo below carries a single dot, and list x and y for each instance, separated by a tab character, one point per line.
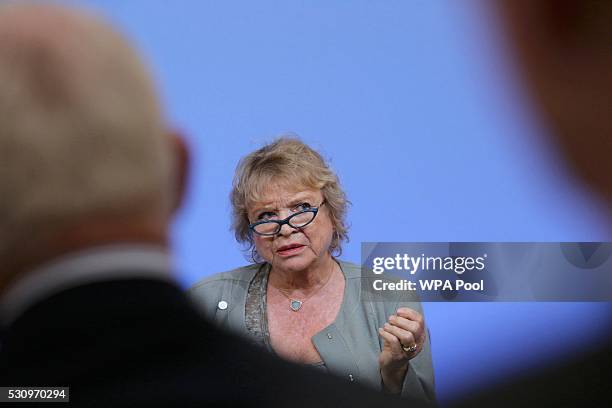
296	299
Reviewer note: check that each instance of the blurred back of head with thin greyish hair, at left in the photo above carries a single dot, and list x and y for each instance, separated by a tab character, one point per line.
83	147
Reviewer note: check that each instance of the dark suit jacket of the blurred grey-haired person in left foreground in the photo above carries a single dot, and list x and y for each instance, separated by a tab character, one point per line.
142	343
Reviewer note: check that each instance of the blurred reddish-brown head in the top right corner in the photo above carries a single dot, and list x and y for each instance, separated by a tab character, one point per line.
565	50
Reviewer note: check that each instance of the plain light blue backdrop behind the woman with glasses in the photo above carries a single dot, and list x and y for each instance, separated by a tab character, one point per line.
419	109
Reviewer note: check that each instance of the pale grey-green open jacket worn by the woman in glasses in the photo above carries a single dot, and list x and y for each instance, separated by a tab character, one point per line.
350	346
